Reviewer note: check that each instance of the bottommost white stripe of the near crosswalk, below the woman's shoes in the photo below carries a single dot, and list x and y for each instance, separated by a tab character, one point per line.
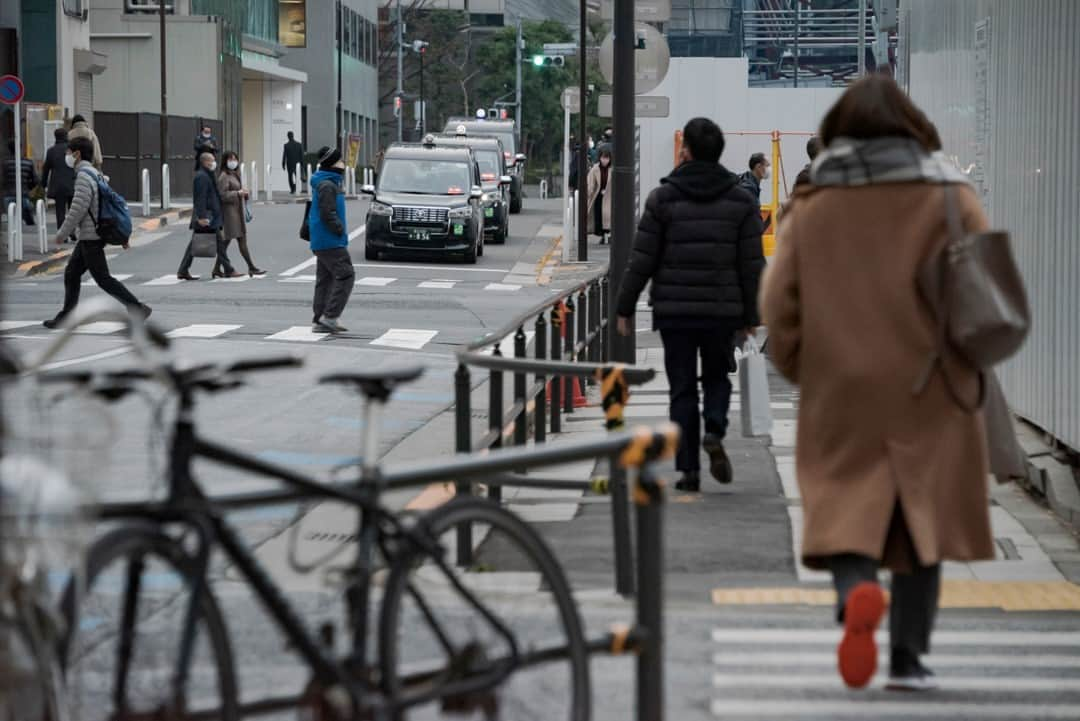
867	709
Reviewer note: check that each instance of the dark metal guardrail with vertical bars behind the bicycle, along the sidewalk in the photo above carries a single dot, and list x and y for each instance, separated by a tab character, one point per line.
573	327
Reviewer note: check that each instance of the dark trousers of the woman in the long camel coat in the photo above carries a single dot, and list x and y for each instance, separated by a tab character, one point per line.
914	606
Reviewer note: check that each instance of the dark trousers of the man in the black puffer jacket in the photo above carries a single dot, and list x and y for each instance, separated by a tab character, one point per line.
682	349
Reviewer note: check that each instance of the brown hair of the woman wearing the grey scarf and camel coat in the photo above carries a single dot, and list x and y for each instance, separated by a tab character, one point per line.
876	107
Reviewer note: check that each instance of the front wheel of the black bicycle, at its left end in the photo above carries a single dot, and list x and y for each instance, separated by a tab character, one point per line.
127	630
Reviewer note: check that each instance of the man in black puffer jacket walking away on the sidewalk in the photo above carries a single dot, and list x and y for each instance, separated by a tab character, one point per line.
700	243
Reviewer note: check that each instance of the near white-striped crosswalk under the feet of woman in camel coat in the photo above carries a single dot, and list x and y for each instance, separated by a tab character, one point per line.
790	673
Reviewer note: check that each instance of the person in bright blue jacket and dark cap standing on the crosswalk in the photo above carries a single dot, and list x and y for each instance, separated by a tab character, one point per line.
330	243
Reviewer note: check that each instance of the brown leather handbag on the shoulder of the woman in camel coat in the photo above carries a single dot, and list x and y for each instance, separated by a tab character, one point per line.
978	297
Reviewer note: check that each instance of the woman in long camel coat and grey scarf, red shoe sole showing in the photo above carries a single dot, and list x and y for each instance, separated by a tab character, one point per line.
888	478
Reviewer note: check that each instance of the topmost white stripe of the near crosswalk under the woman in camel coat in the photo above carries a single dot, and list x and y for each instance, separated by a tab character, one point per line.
830	637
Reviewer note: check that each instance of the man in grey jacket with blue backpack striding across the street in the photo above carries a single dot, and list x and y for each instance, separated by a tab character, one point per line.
96	229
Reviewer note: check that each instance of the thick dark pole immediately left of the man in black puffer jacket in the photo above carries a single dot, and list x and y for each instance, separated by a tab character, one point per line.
623	199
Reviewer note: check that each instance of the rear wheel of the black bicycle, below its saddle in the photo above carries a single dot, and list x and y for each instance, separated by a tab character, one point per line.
433	637
